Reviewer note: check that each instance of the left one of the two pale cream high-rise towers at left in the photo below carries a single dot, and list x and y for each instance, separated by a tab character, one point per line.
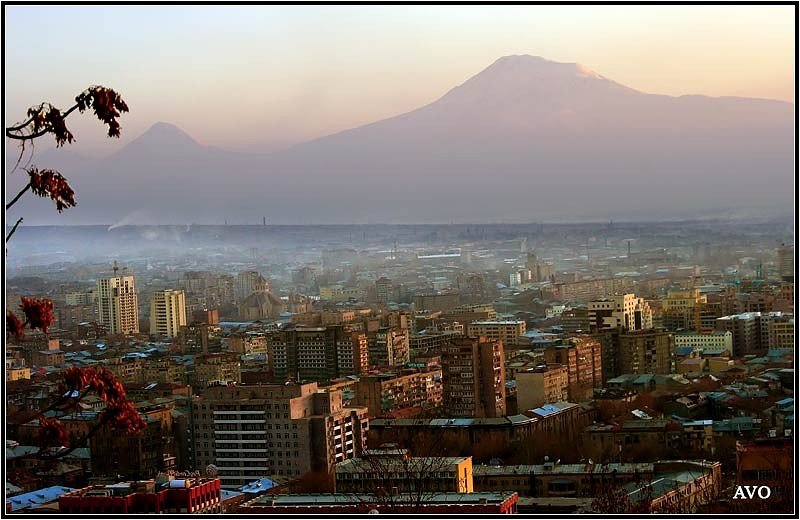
117	305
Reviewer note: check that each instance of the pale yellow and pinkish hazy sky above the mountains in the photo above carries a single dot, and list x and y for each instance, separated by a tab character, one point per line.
261	77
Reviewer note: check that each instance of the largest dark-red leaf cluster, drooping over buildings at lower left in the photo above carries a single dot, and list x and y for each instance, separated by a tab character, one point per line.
119	413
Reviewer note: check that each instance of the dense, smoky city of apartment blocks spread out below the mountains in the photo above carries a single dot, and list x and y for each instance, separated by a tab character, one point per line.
605	367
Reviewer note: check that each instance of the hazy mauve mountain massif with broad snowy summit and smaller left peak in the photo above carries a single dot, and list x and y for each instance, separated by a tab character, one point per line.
525	139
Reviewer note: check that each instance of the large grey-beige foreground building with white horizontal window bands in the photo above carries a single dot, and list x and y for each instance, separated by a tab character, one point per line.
254	431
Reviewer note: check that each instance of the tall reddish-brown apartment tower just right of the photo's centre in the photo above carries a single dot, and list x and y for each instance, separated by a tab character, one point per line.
474	377
